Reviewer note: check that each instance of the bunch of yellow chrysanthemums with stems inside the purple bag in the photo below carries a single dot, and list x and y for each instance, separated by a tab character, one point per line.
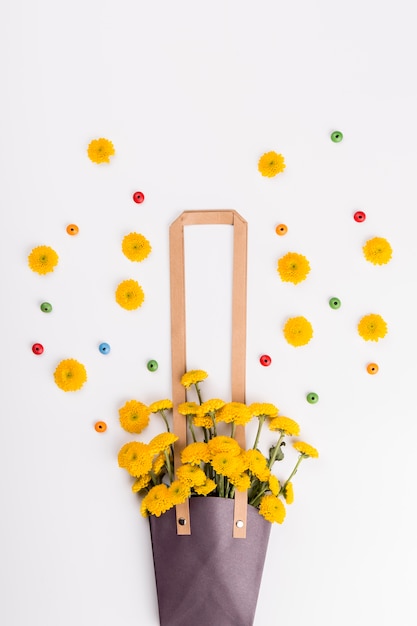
213	464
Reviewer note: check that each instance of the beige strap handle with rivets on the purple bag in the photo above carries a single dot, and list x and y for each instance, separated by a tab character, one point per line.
178	340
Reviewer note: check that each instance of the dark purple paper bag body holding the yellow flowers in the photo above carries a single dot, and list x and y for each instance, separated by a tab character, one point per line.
208	578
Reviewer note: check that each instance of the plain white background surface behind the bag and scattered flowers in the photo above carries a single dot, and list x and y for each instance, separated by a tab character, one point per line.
192	94
